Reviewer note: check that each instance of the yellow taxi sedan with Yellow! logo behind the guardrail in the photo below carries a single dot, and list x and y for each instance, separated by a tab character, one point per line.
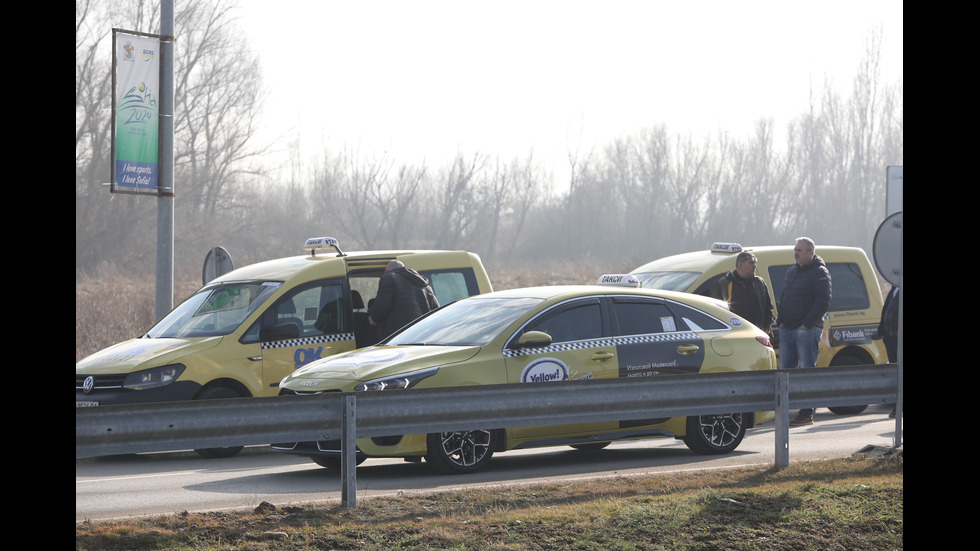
535	336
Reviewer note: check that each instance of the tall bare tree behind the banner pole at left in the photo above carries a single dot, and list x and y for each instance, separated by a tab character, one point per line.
218	95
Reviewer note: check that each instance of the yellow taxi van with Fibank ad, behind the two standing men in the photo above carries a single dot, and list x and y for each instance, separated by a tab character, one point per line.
850	334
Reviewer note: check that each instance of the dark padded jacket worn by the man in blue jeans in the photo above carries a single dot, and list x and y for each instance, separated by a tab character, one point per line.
806	295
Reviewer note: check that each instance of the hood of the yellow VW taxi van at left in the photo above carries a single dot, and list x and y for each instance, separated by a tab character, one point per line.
137	354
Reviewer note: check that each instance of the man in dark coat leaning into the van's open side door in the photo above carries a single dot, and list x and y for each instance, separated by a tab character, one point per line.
403	296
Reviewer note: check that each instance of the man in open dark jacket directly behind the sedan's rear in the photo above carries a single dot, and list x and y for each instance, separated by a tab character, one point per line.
746	293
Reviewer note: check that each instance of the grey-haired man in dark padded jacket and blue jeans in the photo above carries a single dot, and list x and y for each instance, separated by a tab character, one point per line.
804	301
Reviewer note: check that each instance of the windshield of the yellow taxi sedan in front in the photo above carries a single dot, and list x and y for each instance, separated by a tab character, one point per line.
471	322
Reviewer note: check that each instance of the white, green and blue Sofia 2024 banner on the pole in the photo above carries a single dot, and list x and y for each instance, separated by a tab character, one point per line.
135	112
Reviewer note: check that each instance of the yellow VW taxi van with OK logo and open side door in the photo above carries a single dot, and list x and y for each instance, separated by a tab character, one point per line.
245	331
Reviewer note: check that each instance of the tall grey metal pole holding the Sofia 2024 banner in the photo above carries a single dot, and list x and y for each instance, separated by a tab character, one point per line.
165	189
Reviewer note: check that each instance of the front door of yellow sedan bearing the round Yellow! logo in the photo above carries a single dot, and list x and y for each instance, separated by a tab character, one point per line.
580	350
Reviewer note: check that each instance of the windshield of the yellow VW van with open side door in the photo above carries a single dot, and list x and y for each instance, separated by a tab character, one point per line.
214	310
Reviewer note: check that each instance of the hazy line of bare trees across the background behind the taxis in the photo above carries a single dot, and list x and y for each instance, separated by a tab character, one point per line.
645	195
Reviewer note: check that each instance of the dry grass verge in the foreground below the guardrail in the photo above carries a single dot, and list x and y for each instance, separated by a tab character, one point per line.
848	504
